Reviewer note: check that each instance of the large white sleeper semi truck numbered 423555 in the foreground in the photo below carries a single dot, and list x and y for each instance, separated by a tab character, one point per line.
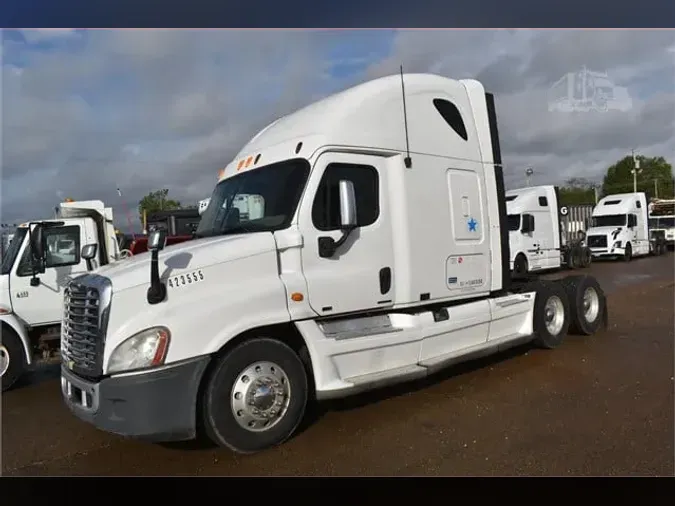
381	255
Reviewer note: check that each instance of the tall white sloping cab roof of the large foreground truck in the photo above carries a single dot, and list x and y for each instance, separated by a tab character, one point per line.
370	117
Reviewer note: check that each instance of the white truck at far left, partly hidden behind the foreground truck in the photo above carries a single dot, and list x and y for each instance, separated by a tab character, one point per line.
31	291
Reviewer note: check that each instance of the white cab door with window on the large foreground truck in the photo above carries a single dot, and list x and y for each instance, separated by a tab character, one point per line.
359	276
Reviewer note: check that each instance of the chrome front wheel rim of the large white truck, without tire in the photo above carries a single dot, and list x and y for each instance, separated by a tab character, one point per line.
260	396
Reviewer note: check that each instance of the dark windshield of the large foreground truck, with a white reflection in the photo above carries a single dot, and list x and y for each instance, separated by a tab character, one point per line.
258	200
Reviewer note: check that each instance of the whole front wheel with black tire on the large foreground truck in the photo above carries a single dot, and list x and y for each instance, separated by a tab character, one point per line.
255	397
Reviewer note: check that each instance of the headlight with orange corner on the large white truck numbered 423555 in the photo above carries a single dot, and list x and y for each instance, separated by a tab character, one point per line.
145	349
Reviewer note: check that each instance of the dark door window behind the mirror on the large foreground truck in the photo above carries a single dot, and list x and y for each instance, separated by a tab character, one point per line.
326	207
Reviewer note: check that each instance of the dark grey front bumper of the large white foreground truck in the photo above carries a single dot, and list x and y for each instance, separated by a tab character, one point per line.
156	405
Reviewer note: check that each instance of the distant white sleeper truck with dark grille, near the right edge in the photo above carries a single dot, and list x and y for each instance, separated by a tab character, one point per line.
620	228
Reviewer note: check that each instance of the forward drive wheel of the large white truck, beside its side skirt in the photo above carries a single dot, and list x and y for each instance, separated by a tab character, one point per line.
551	317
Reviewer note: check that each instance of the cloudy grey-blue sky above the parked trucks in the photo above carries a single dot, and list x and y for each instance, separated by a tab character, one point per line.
86	112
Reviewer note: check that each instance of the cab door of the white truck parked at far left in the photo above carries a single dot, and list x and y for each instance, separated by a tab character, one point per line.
43	304
